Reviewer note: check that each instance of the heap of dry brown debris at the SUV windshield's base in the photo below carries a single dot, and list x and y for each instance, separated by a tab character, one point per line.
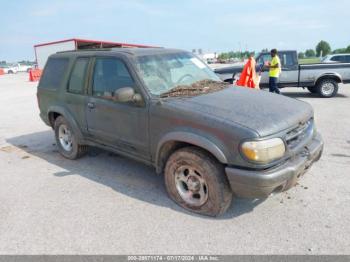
199	87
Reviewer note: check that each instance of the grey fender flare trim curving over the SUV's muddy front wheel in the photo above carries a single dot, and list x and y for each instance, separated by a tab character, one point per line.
193	139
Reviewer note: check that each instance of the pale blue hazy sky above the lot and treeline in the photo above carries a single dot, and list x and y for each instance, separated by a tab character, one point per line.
220	25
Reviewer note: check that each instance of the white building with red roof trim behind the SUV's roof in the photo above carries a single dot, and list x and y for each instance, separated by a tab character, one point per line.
43	51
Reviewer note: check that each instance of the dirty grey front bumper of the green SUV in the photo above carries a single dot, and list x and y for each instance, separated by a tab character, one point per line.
261	183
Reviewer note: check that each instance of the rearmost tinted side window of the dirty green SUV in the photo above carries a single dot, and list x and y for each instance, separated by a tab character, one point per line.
54	72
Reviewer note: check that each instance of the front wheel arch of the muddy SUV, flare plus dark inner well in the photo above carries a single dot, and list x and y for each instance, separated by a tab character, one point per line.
176	140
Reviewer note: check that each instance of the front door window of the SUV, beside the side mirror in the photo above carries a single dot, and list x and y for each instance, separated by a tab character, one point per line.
110	74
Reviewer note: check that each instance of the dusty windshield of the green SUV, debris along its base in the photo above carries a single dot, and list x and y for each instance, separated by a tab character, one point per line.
164	73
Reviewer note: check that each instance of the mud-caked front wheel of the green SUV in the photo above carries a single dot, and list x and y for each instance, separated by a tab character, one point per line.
197	182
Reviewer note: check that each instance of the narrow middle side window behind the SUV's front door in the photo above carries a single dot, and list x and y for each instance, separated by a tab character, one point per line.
77	78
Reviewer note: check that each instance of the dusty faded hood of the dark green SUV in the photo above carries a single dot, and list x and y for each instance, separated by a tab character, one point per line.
263	112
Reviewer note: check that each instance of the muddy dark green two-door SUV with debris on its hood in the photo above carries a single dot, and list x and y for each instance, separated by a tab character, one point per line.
166	108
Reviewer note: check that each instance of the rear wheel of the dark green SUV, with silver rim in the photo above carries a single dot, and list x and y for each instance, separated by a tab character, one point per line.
66	140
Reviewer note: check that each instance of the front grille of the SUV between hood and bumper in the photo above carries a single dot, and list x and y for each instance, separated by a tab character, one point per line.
299	134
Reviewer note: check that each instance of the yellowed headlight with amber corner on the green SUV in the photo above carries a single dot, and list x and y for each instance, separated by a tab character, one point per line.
264	151
